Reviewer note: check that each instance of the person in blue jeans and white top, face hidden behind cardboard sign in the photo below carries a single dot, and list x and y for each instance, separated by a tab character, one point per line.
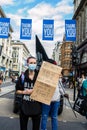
53	107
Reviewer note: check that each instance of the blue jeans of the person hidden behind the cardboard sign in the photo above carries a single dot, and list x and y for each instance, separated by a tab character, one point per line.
53	109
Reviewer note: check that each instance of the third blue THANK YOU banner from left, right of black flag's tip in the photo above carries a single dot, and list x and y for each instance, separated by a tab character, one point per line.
48	29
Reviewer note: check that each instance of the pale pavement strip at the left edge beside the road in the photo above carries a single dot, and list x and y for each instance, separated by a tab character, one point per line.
7	87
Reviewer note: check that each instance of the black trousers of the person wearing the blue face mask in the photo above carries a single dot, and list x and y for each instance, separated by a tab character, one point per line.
24	121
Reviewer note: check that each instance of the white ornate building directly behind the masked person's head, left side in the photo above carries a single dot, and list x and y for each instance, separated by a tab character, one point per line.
20	53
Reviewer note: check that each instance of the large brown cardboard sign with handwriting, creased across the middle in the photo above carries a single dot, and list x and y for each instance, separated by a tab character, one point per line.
46	83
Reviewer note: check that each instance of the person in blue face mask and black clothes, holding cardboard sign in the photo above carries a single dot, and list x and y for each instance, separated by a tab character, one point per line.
29	107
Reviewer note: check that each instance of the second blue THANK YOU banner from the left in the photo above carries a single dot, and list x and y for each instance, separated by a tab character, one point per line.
26	29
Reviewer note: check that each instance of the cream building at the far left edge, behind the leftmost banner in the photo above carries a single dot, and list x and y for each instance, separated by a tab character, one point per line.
6	52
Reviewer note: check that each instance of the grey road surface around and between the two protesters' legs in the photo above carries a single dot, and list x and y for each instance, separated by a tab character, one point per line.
10	121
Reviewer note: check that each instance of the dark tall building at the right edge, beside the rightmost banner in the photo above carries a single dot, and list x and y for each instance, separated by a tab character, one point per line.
80	15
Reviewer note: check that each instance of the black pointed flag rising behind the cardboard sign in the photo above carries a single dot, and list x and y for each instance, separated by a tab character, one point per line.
40	53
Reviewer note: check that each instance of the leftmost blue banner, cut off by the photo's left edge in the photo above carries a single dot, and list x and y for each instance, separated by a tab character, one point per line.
4	27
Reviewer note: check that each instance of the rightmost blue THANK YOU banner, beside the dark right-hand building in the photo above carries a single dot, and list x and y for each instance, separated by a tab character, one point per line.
70	30
